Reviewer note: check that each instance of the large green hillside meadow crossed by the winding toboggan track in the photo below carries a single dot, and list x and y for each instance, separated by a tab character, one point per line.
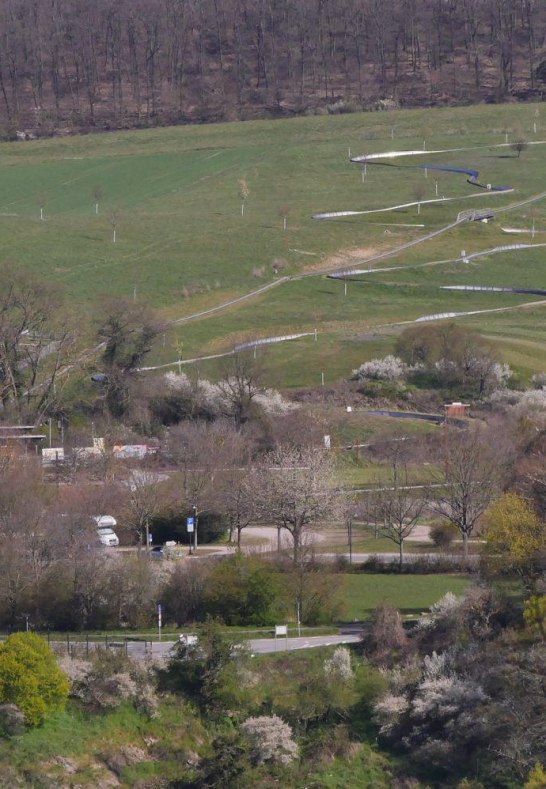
183	245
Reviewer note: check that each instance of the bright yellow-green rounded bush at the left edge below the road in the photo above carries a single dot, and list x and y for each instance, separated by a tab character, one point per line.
30	677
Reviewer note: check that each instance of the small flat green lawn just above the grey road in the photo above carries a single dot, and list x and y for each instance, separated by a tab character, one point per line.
411	594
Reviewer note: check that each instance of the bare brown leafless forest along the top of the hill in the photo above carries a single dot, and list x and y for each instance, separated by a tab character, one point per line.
124	63
